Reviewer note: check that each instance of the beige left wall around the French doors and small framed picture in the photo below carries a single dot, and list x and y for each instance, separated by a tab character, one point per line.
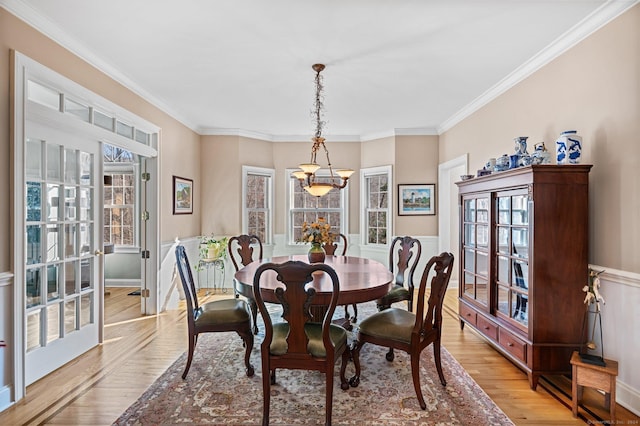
179	146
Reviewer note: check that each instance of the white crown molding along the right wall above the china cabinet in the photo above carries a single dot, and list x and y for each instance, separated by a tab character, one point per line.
590	24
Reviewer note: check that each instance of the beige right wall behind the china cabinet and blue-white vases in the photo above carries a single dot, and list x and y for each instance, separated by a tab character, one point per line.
593	88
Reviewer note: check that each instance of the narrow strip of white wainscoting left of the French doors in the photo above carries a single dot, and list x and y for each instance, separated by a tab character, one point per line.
6	334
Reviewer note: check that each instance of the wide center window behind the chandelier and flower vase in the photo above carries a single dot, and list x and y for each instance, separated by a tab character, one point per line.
304	207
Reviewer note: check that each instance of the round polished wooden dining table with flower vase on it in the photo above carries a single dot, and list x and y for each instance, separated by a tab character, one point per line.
361	280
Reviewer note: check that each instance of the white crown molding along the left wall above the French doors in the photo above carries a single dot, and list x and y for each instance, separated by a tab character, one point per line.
33	18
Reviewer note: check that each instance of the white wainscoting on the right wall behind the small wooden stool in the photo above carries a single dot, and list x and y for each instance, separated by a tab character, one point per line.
620	330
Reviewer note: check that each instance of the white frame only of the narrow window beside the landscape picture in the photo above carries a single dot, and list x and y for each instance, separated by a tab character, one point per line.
365	174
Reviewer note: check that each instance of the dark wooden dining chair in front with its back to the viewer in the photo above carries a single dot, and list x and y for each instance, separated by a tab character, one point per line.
301	341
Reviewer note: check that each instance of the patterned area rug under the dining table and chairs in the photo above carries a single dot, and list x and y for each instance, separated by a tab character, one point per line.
217	391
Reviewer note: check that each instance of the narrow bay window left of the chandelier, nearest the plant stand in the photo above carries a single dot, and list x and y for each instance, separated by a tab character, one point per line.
258	201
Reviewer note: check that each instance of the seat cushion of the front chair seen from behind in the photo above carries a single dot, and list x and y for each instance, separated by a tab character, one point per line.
313	330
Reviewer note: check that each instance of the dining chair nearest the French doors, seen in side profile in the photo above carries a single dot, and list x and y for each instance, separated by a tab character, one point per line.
212	317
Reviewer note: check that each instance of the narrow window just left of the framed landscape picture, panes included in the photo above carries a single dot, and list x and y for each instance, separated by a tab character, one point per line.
376	200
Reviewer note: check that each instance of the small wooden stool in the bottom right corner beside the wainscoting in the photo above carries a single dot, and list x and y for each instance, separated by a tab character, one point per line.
594	376
